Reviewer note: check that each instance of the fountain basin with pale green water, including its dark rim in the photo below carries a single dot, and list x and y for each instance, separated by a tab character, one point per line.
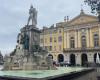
40	74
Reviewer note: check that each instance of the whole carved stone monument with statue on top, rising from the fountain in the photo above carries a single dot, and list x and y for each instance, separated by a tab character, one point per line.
28	54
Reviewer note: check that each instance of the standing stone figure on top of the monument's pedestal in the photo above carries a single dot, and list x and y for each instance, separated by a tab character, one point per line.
32	16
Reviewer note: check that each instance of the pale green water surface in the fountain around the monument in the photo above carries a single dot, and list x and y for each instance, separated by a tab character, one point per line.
40	73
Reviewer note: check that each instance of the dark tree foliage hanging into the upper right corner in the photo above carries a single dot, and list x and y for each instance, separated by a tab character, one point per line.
95	6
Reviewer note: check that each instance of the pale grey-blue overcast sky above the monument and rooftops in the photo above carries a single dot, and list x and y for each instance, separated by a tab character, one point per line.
14	15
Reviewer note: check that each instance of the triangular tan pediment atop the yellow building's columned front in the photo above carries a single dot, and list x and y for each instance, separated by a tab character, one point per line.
83	18
